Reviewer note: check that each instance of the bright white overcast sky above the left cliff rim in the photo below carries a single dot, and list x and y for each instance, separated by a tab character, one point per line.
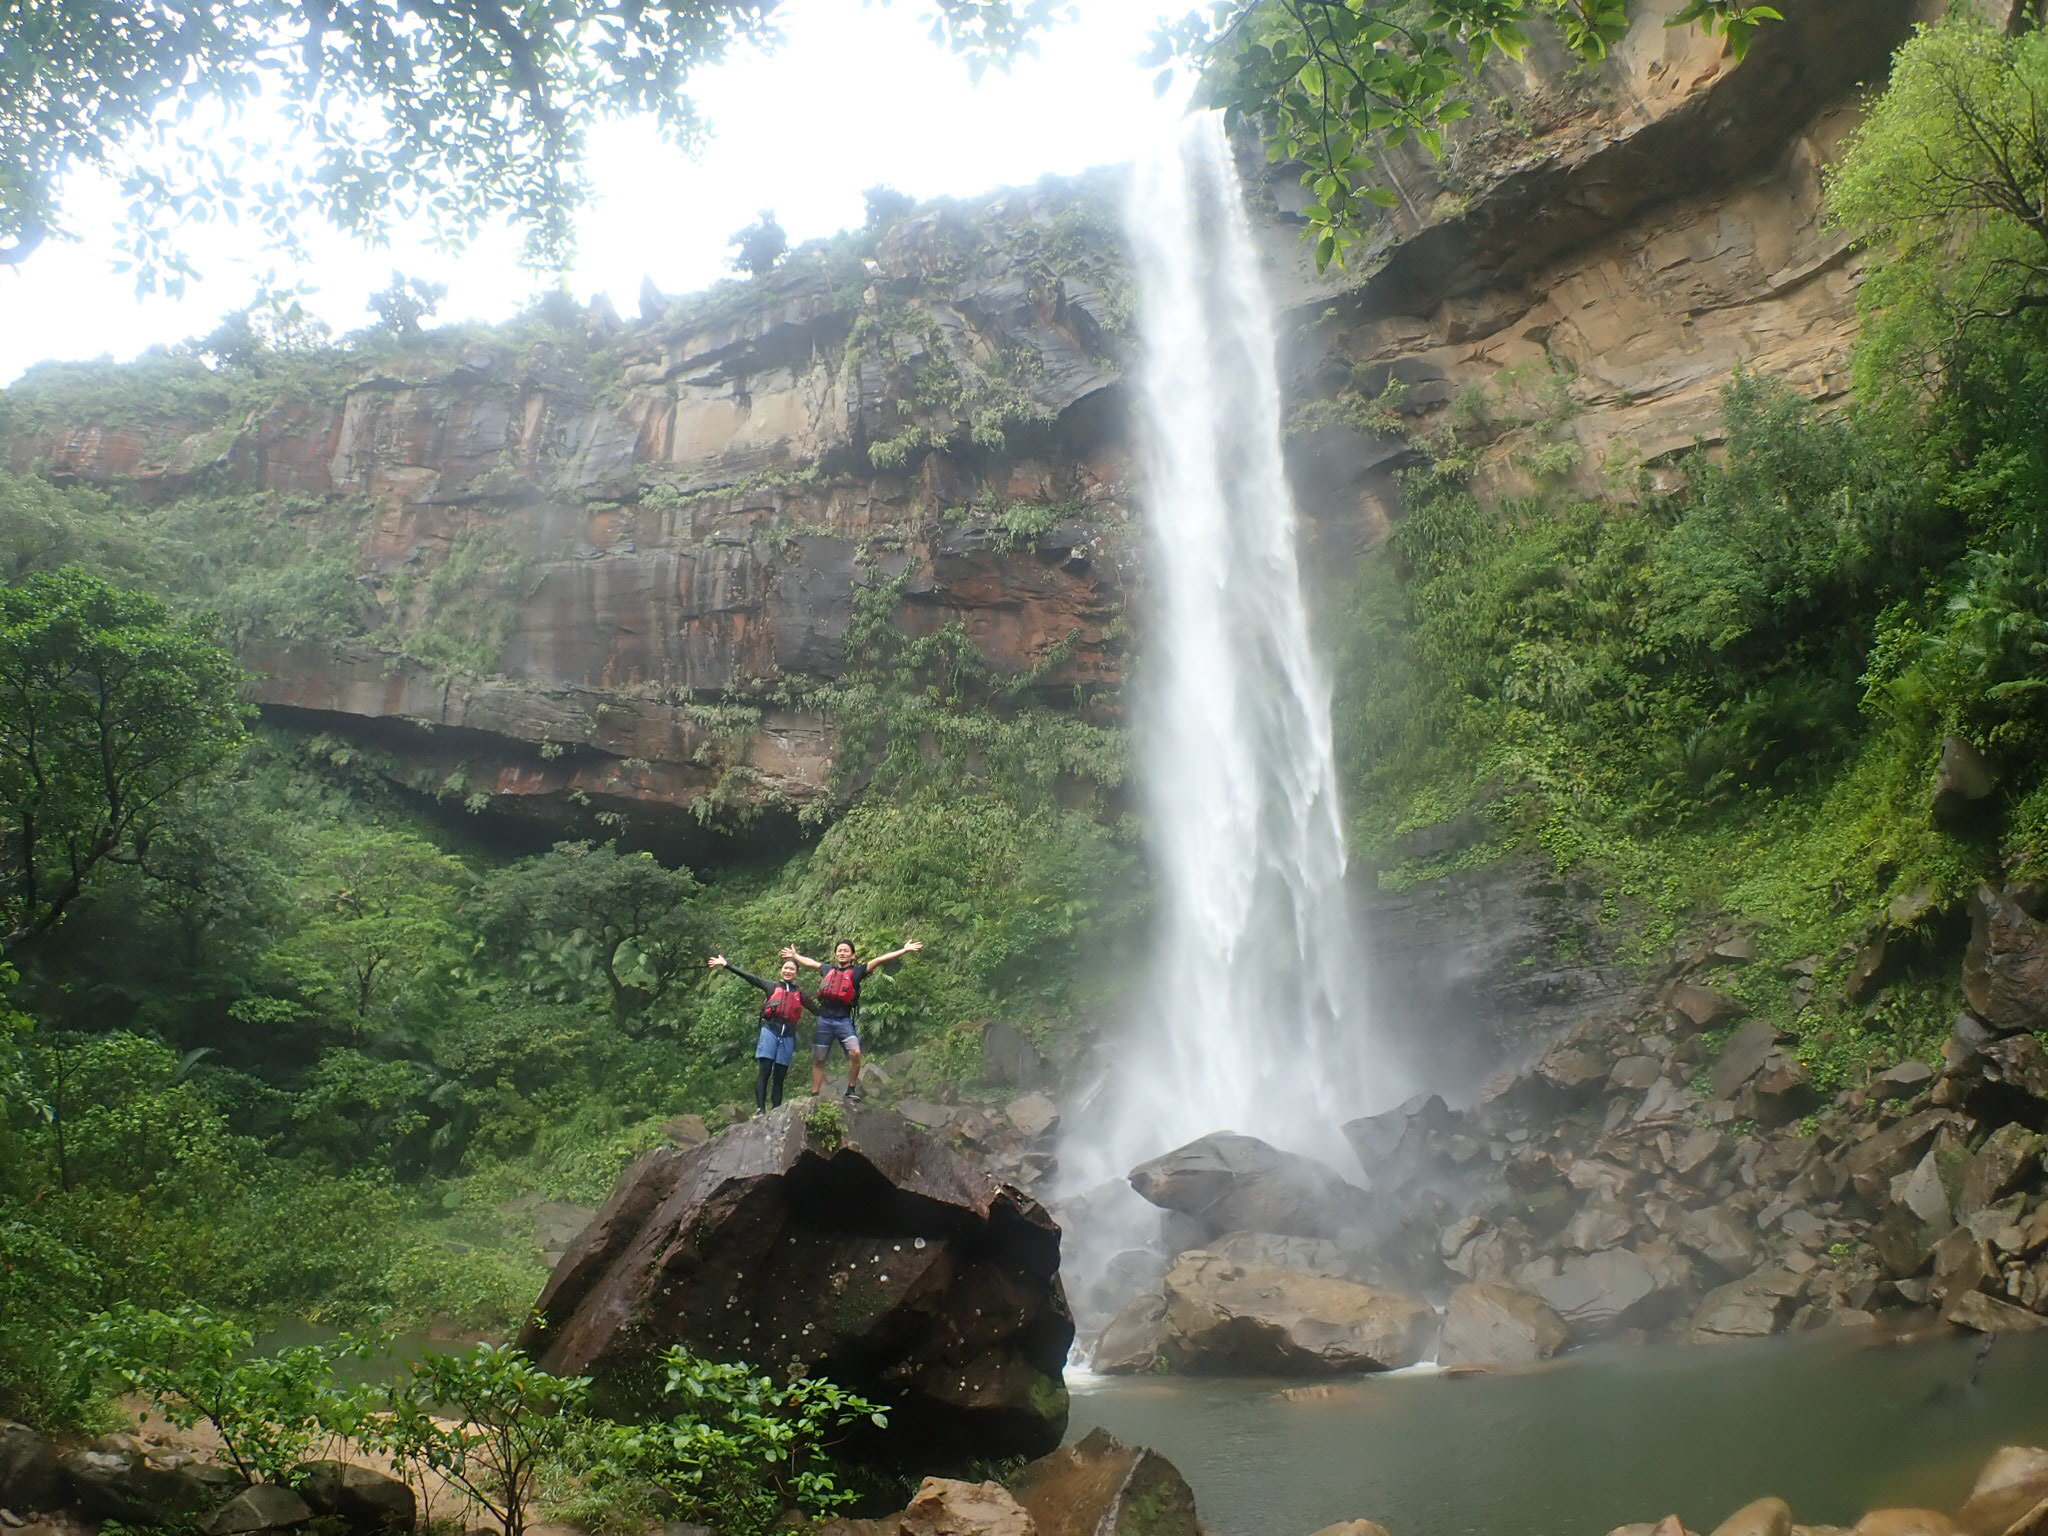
859	95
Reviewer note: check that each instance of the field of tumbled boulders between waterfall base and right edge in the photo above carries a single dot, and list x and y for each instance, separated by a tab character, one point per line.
1662	1168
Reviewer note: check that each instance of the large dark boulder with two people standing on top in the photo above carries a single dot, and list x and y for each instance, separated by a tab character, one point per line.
845	1244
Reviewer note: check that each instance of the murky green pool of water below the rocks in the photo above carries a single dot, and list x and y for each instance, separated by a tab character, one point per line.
1828	1422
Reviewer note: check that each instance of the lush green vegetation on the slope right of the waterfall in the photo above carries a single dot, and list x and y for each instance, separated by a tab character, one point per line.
1730	701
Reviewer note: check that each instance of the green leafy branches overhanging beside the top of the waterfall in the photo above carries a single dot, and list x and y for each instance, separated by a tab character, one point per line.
1330	85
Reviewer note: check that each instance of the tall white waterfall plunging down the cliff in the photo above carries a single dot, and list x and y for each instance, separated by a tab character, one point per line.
1254	1017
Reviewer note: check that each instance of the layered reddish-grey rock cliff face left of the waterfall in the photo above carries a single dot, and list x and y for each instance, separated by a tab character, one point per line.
681	519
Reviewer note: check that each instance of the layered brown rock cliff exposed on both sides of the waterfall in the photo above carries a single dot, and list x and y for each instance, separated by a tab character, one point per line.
671	529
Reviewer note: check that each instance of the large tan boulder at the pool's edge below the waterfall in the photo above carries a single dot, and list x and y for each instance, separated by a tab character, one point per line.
1246	1318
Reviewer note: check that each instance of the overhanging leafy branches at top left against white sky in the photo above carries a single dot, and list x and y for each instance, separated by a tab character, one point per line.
456	110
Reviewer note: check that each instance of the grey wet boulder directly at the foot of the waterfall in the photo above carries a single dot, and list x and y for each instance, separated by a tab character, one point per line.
1244	1185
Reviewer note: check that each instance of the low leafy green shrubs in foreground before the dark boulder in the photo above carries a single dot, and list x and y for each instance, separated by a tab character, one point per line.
509	1437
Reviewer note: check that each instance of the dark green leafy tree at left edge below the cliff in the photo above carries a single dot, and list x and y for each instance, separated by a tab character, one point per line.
108	710
